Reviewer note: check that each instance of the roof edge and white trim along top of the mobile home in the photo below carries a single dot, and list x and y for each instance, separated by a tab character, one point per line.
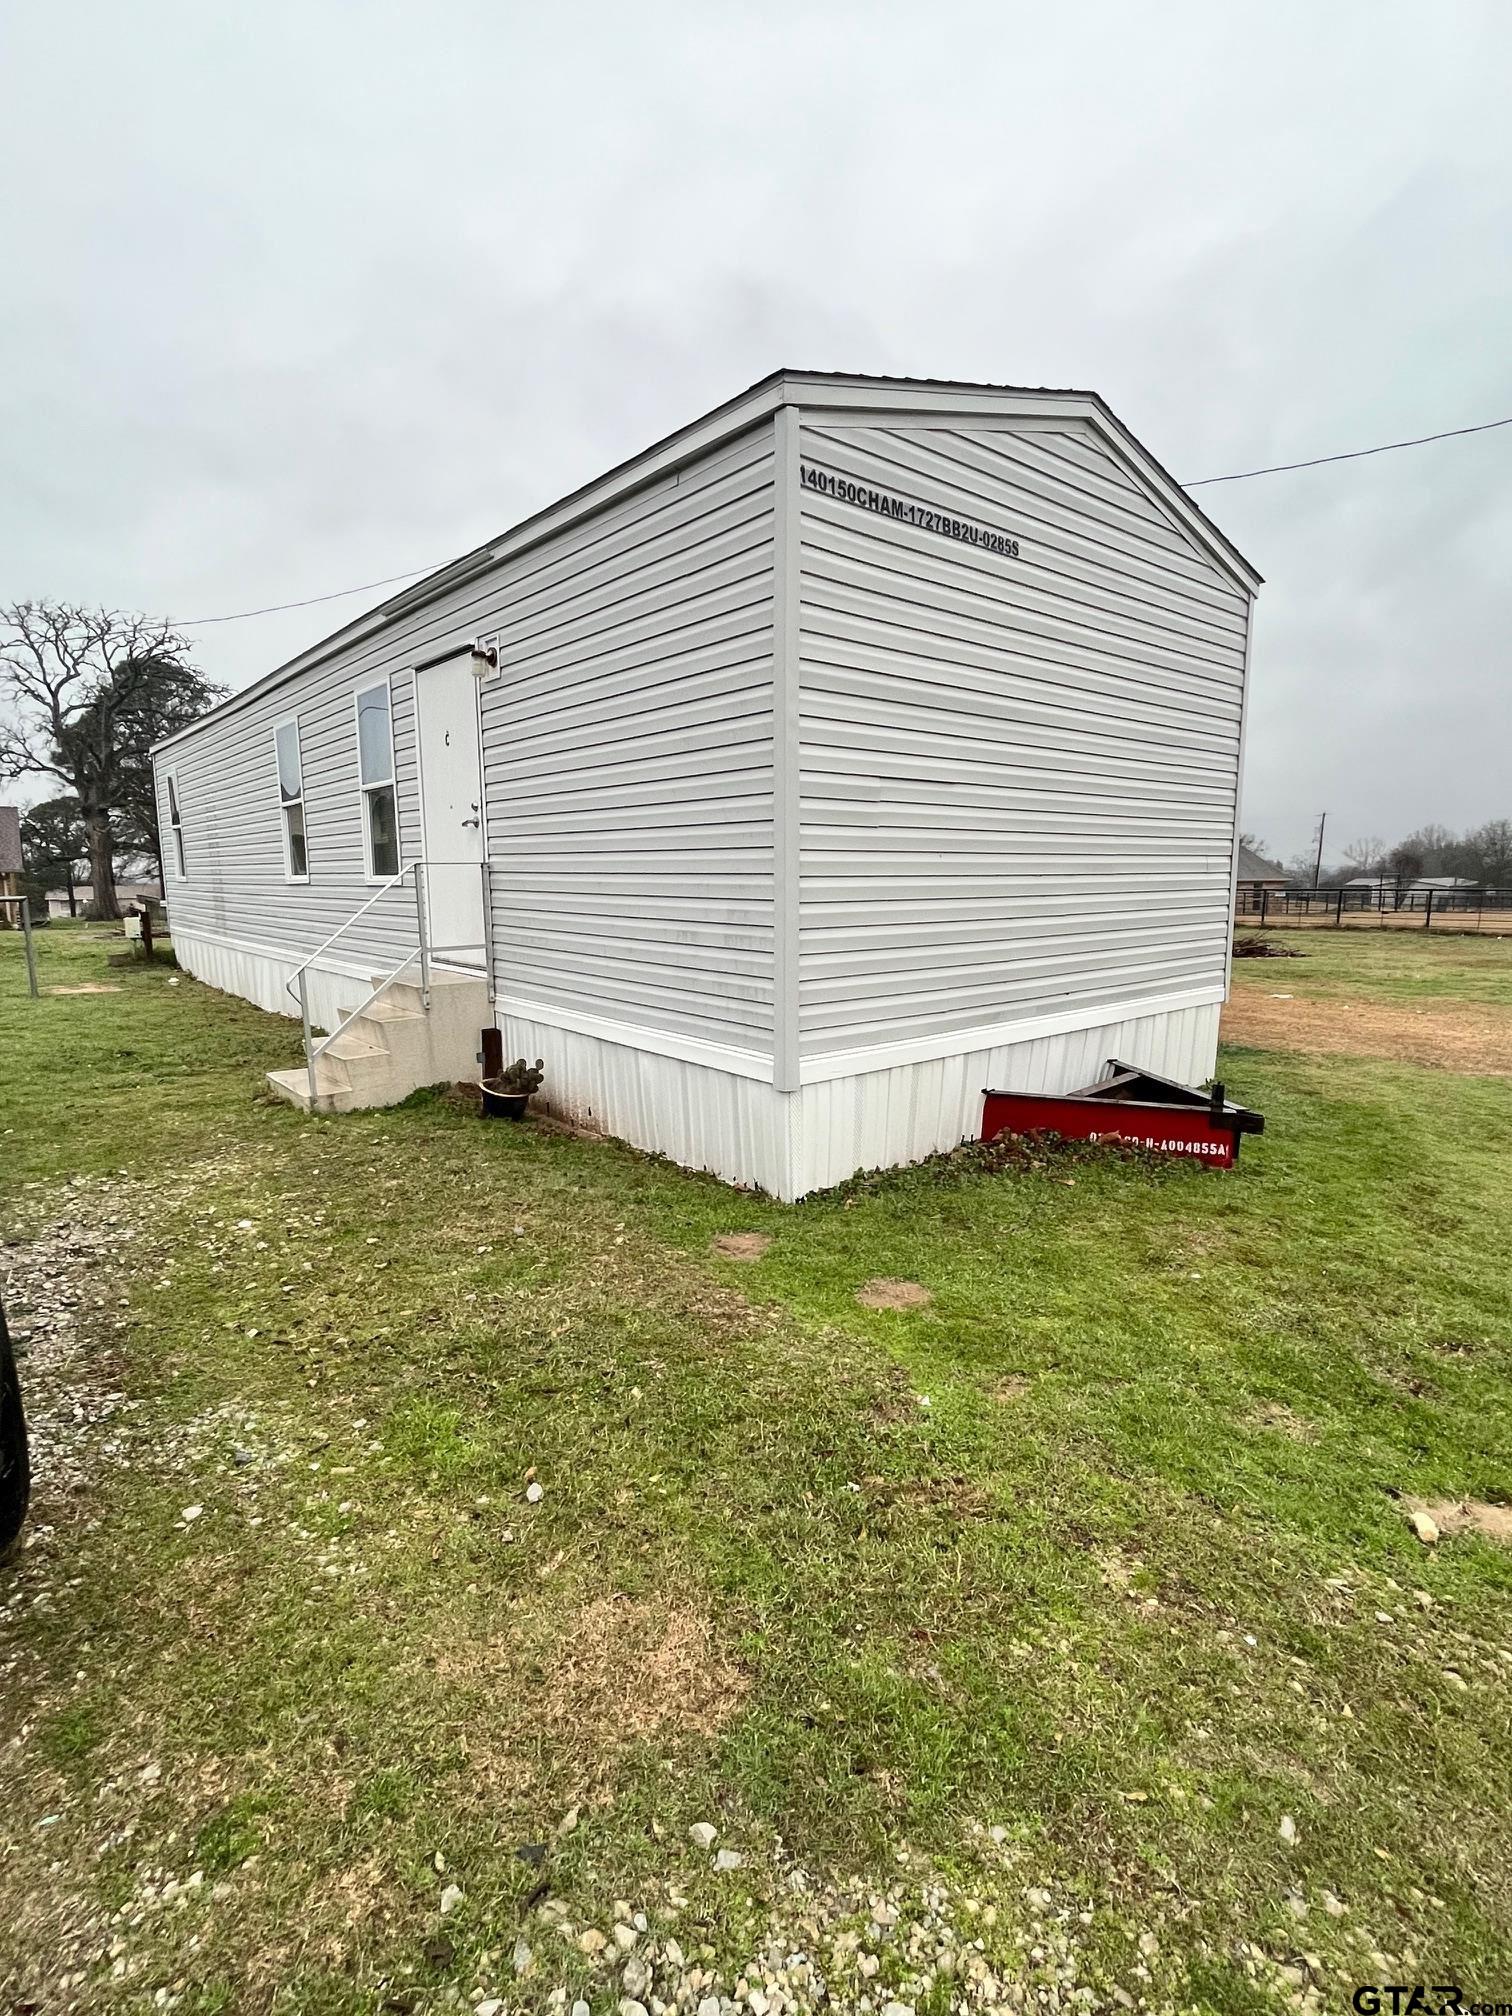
695	438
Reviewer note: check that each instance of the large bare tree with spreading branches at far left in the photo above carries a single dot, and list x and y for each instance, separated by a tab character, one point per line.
78	690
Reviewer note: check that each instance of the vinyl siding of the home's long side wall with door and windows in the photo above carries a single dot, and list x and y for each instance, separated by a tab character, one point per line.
628	755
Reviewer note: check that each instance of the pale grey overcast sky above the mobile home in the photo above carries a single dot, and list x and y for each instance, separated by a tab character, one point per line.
305	295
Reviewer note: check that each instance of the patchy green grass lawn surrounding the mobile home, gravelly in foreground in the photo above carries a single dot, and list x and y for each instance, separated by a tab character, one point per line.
1074	1618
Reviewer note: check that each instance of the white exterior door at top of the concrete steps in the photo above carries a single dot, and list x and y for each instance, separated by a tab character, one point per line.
453	809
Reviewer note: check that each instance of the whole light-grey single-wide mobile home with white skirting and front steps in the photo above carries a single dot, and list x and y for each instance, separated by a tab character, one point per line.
862	745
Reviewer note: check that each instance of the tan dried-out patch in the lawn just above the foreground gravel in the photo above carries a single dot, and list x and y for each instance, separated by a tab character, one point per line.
632	1668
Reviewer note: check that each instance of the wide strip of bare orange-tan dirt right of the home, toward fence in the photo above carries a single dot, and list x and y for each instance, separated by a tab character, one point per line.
1473	1037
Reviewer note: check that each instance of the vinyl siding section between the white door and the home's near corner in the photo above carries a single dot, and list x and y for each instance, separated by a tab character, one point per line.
628	761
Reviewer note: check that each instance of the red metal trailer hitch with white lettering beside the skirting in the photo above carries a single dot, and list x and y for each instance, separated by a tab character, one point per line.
1130	1106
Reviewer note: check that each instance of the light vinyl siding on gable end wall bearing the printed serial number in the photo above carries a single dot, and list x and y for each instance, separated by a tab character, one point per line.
1017	775
